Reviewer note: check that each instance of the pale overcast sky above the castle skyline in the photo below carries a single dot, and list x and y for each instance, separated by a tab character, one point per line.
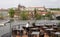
29	3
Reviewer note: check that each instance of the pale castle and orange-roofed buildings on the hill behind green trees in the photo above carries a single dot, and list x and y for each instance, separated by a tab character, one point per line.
30	10
